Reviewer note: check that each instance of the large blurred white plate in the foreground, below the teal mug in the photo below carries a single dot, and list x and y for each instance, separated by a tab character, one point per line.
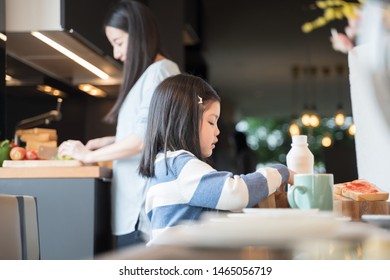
250	230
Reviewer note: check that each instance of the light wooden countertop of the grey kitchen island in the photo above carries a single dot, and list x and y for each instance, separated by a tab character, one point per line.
92	171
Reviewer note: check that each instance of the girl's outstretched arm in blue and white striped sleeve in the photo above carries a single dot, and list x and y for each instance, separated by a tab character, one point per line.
205	187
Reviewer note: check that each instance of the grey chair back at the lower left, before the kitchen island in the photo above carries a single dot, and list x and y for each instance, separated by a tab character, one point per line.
19	233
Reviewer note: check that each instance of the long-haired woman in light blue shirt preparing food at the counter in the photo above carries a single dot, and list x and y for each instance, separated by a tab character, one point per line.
132	31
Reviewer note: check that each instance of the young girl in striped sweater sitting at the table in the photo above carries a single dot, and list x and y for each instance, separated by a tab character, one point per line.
182	132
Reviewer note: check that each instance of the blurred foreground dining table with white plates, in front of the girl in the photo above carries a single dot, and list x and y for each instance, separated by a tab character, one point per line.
273	234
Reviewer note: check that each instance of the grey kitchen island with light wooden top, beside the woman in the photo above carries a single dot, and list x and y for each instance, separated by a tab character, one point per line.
73	207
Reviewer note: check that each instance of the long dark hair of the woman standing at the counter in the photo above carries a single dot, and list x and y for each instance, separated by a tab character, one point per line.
138	21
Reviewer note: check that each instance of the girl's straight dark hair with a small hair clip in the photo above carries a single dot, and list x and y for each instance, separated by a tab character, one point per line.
174	117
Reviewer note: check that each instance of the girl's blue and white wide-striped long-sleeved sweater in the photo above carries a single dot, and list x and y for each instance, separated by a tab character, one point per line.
191	186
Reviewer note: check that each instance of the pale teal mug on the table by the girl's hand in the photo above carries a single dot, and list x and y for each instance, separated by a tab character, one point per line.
311	191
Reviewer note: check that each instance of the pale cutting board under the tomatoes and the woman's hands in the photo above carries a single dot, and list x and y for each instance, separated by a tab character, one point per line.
41	163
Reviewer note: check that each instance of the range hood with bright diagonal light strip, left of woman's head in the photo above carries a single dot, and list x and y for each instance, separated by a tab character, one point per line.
47	17
